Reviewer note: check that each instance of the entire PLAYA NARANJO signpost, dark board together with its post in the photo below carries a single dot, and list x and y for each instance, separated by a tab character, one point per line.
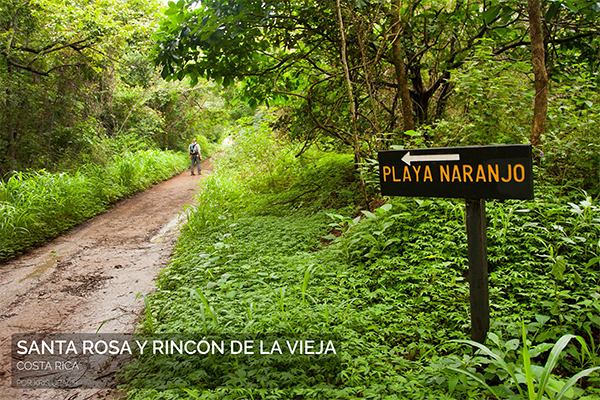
474	173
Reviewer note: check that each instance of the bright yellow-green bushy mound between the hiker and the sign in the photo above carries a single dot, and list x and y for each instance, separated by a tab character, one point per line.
266	168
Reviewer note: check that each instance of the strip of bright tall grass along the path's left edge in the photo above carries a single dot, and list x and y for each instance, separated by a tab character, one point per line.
37	206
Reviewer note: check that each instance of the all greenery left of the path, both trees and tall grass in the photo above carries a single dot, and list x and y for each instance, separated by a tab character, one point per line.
84	114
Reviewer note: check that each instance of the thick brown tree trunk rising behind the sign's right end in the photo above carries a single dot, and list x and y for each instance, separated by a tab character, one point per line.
538	61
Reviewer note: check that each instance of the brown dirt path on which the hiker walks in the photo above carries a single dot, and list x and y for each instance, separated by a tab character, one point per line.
92	275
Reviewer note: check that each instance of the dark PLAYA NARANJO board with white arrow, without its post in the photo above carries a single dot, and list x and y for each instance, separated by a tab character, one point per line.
472	172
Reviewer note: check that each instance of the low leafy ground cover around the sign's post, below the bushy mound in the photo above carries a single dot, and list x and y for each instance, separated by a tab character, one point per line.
393	287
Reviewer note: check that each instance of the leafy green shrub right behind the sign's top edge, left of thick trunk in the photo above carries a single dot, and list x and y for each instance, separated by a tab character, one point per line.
491	104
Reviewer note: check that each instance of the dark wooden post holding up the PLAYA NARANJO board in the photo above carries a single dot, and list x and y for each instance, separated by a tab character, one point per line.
478	271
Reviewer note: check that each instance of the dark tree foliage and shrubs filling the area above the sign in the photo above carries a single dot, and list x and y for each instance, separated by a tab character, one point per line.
334	66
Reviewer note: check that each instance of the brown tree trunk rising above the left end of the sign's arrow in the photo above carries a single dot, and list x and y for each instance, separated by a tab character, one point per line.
401	73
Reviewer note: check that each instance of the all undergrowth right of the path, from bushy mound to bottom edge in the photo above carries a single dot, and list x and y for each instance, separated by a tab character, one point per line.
389	285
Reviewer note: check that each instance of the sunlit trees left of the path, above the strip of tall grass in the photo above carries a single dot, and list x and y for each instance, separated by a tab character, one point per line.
74	75
